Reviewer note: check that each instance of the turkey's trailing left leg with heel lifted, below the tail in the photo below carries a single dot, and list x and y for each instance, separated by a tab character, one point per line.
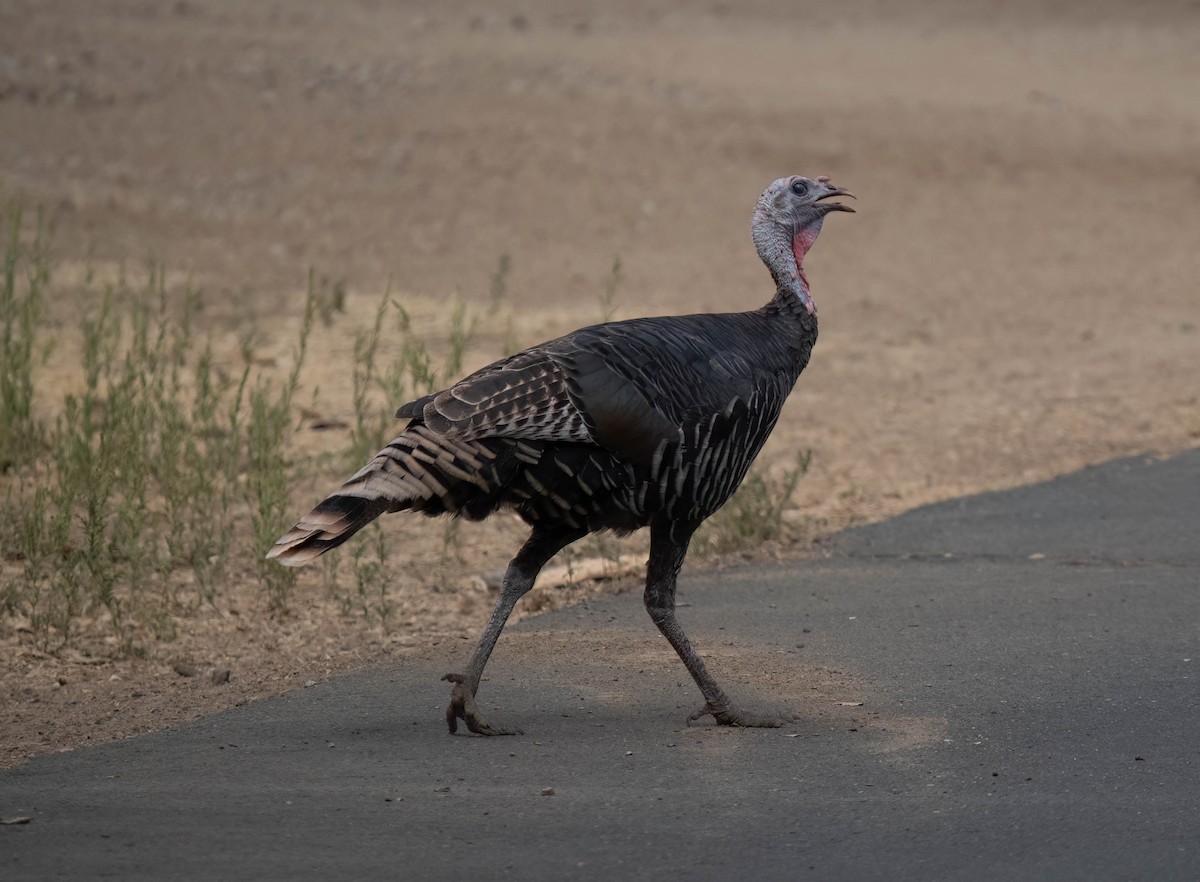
519	579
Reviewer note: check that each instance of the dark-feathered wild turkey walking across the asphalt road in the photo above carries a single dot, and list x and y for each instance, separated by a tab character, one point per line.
647	423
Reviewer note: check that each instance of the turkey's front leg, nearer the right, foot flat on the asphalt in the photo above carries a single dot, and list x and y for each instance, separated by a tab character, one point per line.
667	559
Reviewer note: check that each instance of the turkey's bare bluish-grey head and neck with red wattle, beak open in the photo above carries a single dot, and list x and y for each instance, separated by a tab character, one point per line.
787	223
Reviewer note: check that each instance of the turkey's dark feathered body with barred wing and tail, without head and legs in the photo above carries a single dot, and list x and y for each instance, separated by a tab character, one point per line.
677	409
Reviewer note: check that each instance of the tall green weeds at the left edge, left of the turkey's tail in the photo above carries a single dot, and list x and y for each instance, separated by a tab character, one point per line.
127	511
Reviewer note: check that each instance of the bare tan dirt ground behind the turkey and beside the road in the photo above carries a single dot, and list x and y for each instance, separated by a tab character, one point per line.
1016	299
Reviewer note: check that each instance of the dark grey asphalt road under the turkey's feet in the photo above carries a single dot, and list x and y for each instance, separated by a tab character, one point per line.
995	688
